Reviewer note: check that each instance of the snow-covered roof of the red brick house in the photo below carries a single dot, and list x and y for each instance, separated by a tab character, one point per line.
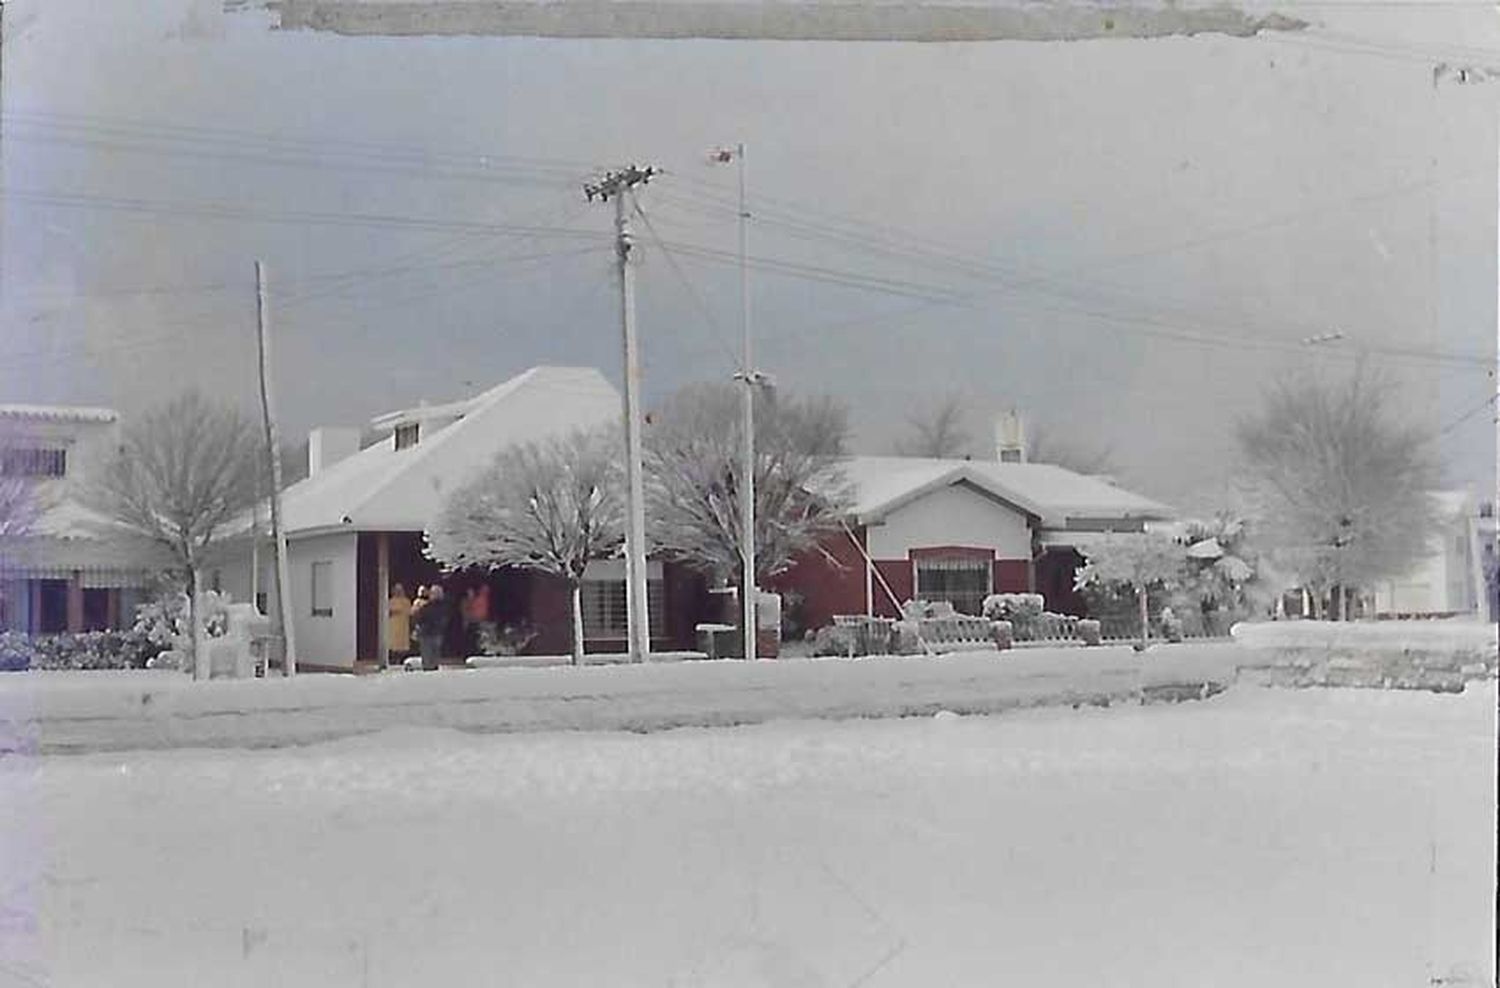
1052	494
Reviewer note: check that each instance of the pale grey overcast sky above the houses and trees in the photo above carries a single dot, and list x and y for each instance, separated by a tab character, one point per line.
1139	233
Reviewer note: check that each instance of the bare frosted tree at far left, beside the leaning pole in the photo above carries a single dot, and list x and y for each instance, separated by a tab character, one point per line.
181	478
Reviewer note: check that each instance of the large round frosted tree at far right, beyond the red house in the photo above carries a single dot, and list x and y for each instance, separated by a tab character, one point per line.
1339	487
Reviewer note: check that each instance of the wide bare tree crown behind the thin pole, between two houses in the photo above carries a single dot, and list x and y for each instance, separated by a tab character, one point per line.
695	466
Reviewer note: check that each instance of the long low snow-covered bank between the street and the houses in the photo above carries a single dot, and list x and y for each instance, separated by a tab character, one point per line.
103	711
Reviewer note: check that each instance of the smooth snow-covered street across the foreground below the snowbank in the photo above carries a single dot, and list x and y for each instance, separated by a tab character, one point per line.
1264	837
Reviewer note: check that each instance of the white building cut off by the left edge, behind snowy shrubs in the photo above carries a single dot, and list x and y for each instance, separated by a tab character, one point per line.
70	570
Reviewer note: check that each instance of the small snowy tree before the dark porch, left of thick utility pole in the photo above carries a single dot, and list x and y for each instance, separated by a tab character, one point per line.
550	507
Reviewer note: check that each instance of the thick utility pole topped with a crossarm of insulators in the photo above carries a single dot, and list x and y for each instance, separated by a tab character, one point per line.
616	187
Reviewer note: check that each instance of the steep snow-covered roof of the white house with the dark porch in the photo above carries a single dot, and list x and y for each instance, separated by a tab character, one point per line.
388	490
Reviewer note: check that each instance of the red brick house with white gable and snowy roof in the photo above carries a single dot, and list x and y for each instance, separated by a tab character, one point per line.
959	531
